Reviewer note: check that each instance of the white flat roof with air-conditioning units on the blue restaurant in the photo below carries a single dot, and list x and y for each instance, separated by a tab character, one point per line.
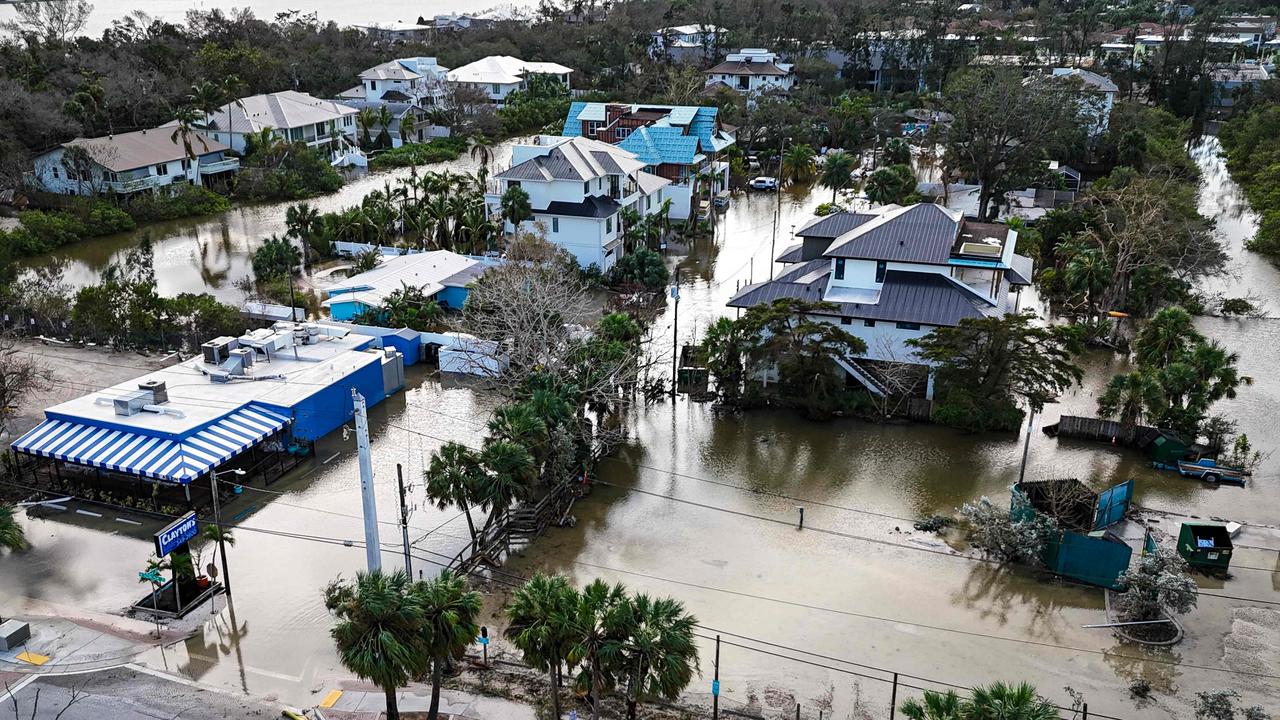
202	402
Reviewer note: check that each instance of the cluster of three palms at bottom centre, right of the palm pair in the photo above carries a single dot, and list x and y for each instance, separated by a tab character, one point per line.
607	641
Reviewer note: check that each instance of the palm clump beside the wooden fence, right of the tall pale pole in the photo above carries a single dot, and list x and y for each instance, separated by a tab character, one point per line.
542	436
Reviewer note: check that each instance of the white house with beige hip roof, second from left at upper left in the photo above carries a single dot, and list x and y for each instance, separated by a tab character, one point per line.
291	116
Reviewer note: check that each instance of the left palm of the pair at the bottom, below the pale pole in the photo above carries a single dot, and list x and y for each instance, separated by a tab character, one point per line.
381	632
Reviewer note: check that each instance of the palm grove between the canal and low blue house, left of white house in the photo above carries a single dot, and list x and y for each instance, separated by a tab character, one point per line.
441	211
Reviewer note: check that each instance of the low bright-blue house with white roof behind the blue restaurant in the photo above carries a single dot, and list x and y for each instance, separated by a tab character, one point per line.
440	275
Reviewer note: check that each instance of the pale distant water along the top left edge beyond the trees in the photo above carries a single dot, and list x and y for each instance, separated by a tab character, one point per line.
342	12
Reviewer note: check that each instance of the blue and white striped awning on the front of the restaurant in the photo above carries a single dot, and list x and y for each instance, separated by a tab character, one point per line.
172	461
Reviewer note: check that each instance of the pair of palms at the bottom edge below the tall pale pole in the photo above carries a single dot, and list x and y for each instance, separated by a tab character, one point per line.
392	630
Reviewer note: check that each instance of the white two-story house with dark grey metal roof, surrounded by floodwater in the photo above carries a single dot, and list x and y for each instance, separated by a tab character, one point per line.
898	274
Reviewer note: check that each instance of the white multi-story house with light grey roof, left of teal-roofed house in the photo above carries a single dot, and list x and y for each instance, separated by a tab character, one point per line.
578	190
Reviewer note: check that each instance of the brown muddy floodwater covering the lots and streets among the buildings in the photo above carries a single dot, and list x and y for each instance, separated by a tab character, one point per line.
684	514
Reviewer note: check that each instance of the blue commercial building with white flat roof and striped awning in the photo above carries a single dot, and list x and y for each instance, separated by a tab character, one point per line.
244	403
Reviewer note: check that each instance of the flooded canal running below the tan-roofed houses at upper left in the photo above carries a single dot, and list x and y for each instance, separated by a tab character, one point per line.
212	253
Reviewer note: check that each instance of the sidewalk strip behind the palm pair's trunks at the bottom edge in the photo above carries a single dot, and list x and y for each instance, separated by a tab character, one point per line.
371	704
